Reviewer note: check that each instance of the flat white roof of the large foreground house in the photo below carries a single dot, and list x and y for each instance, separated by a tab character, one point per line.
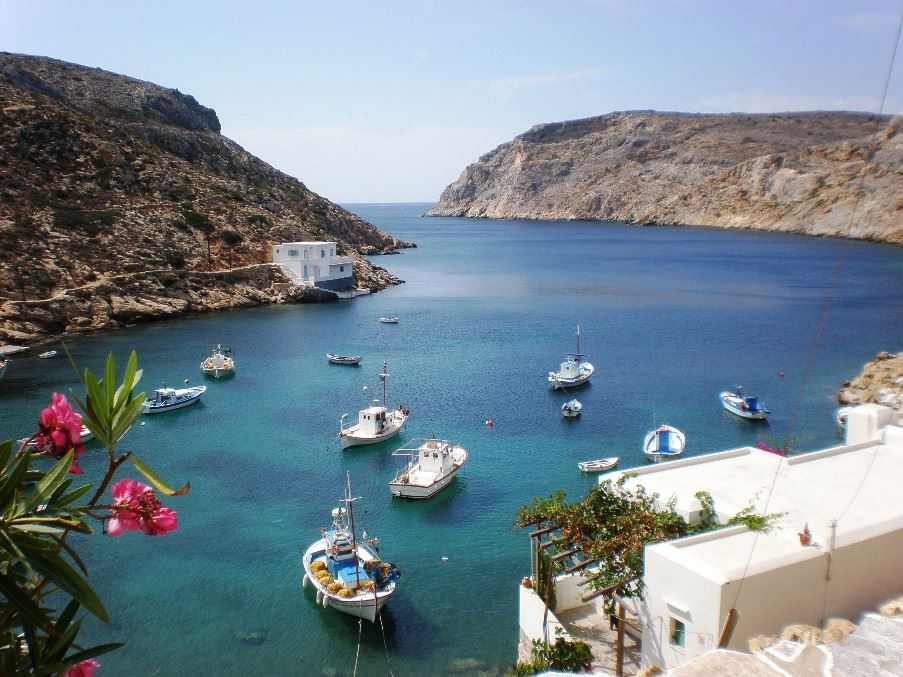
857	484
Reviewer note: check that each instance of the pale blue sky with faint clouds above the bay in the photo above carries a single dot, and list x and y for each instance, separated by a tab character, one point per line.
388	101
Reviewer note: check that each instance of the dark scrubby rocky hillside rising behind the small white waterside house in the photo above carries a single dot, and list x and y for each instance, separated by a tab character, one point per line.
103	175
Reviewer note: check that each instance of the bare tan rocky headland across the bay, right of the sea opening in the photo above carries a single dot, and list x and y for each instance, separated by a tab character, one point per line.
792	172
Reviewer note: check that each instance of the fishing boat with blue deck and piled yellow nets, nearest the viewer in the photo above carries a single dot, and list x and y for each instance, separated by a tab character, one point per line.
348	574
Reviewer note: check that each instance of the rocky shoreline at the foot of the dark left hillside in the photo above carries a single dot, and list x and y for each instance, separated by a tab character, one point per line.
147	296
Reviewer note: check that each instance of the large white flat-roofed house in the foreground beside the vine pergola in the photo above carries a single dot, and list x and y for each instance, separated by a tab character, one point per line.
849	499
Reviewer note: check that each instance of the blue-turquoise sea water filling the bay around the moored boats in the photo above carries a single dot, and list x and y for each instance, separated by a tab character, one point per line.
669	317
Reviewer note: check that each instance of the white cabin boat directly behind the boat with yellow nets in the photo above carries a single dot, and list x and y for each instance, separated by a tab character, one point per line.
432	465
